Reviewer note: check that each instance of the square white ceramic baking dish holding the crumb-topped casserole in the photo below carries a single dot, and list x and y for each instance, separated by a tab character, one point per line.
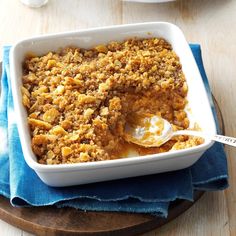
82	173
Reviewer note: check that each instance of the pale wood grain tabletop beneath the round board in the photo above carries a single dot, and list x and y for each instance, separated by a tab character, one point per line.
208	22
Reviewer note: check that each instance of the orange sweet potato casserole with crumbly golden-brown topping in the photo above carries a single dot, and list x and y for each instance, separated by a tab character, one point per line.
78	100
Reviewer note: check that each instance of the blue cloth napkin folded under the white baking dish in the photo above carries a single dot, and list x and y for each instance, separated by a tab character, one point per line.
146	194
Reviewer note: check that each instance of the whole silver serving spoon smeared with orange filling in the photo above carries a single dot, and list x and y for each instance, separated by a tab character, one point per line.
150	130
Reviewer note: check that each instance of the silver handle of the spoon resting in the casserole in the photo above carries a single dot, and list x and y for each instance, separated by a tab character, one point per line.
219	138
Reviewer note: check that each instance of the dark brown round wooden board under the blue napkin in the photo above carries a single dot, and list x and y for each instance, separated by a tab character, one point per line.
68	221
